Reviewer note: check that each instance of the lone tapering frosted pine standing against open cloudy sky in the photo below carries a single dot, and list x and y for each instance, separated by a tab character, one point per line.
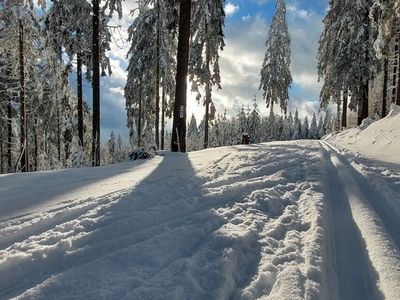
275	72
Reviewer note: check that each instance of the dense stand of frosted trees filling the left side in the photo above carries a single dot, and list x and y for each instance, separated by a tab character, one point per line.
44	124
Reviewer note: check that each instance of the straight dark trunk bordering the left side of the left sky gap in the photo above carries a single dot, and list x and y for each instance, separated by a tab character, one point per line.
96	84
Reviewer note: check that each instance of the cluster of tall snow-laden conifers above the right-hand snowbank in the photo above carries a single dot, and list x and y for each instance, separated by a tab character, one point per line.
358	40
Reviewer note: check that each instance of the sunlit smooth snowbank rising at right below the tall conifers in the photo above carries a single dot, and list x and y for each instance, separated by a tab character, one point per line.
380	140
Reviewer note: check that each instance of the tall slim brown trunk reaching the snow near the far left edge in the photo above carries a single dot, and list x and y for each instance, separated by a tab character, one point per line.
23	137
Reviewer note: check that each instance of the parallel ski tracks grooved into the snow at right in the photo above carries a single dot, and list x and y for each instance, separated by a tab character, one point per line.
361	228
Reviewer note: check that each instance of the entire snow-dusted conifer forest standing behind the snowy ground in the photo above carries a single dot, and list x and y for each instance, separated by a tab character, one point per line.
47	124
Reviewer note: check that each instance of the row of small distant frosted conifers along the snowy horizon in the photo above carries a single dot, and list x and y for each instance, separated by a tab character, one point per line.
226	131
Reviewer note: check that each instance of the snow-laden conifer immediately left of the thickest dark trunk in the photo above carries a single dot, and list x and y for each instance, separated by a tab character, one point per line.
151	66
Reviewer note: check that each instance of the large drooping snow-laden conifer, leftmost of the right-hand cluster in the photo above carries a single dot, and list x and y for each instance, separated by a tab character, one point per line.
345	60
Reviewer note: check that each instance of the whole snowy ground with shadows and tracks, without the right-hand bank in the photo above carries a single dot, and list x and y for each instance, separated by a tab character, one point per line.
283	220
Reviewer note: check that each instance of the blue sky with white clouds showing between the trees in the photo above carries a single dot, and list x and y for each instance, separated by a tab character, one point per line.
246	31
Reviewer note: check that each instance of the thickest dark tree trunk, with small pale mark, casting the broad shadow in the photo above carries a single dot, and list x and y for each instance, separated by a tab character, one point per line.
178	141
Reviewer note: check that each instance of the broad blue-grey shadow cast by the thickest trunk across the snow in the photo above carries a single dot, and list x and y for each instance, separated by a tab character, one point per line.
164	240
